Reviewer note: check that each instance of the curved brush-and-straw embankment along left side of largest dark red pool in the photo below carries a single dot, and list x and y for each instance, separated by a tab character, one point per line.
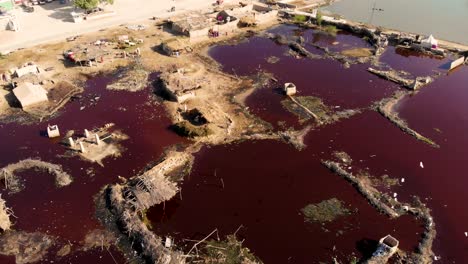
125	202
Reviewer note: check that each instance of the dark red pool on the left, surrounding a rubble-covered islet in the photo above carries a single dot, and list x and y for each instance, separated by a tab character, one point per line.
68	212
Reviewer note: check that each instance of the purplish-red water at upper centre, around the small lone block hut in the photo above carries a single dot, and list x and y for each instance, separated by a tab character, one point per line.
339	88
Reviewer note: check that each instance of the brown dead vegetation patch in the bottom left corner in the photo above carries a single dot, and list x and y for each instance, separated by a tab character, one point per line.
26	247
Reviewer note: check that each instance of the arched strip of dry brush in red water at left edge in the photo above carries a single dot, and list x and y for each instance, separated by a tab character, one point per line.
14	184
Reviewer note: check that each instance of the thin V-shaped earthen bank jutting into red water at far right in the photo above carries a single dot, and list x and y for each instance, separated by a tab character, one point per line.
386	107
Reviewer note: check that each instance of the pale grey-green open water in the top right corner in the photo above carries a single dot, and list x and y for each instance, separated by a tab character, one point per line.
445	19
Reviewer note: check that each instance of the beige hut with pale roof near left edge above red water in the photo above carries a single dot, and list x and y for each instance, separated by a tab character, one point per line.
29	94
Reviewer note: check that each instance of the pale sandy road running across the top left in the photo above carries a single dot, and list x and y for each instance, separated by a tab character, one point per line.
53	22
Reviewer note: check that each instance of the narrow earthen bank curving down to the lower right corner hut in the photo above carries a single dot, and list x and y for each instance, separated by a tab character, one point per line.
394	209
